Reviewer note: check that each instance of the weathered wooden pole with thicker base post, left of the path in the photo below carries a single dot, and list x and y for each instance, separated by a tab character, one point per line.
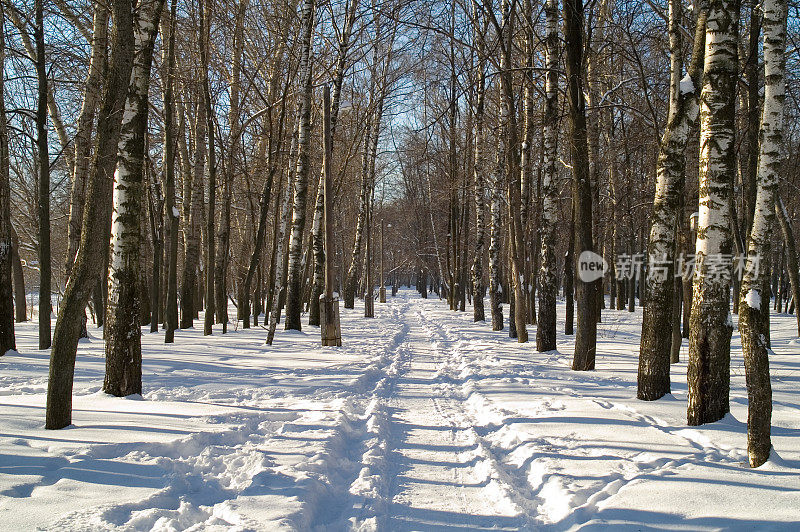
330	325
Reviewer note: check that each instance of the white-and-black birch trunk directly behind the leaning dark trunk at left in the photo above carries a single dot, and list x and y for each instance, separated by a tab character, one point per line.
122	330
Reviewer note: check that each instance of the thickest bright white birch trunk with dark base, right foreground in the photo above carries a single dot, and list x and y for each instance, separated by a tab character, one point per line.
708	372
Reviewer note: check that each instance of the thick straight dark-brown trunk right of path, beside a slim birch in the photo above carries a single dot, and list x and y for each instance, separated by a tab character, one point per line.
586	335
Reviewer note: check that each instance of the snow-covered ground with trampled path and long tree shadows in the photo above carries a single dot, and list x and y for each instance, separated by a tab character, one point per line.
422	421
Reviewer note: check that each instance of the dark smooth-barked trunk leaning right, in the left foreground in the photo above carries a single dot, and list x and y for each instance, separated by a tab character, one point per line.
89	259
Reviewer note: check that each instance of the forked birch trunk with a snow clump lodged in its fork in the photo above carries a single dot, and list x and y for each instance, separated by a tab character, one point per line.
656	340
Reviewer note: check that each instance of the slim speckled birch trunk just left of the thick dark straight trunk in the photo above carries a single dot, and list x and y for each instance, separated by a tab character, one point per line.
548	280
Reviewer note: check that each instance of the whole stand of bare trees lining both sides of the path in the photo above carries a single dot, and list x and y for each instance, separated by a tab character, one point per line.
498	141
